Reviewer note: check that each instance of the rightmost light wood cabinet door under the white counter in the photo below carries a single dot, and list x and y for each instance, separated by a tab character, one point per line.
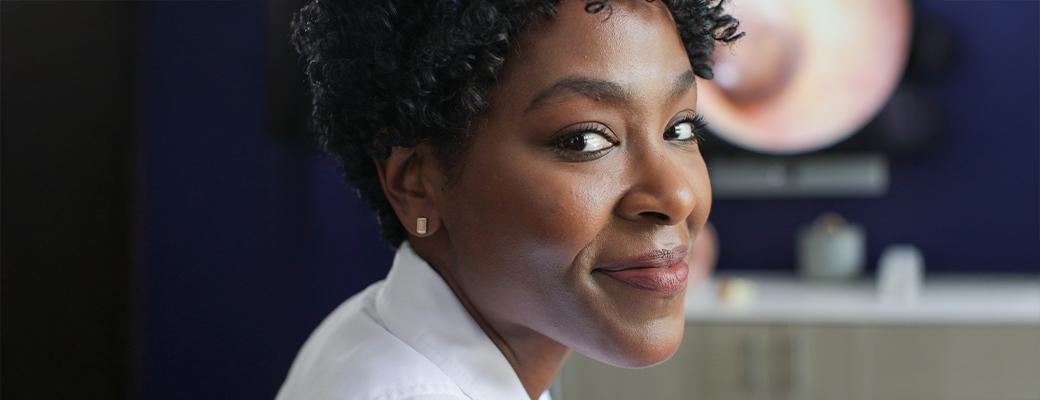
956	363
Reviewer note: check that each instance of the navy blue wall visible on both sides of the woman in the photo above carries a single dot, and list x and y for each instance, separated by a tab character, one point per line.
248	243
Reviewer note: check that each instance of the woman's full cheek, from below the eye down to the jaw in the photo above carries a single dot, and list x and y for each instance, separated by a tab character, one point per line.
519	226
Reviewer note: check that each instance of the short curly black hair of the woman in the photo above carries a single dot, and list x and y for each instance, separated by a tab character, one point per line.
395	73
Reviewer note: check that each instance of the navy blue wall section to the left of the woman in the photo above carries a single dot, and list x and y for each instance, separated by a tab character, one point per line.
247	243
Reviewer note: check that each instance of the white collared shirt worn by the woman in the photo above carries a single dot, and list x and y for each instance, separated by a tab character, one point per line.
407	337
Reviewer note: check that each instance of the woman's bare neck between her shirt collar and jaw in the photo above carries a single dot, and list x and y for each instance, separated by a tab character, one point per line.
535	358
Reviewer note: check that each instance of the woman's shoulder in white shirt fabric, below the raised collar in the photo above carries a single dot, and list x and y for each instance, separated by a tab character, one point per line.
353	357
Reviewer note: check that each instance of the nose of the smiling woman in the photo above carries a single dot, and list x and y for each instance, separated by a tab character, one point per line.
661	192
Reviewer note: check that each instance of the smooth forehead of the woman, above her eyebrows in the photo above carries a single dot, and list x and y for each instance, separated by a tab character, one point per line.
634	44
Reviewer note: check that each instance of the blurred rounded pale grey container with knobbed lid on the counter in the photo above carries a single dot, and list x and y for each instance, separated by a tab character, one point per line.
831	249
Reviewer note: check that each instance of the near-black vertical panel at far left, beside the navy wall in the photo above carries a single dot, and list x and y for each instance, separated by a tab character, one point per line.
68	136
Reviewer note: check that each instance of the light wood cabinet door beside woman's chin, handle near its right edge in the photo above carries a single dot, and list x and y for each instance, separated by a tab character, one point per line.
717	362
